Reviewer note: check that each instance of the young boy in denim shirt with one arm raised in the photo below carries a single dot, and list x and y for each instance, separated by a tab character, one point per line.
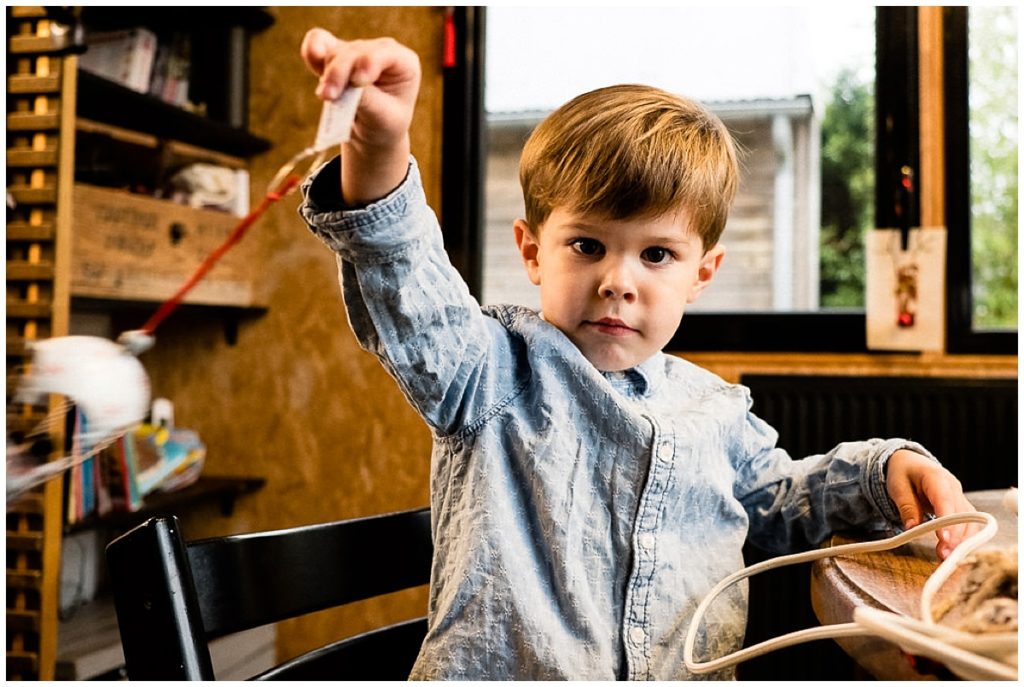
587	490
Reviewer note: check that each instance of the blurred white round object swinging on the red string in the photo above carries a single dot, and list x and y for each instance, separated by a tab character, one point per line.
103	378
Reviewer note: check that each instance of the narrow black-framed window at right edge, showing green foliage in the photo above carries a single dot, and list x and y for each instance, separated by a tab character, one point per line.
982	91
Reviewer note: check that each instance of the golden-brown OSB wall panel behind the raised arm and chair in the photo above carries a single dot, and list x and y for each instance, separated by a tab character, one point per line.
296	401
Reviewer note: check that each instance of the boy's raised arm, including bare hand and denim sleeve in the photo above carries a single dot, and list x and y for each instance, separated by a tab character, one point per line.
406	303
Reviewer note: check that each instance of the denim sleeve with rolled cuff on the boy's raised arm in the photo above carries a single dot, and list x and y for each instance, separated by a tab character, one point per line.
407	304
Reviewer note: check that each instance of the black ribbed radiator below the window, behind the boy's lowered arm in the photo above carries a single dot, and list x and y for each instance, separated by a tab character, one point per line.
969	424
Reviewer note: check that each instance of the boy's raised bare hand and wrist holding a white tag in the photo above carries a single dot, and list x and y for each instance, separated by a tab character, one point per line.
376	158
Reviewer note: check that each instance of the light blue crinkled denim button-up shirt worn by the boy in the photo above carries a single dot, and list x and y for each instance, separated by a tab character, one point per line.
579	517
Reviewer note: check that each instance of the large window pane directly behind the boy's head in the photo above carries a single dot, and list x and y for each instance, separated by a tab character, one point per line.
775	76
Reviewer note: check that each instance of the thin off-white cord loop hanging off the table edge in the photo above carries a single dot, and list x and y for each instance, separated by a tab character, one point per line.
841	630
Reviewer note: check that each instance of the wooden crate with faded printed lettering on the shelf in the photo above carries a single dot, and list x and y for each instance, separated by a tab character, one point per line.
132	247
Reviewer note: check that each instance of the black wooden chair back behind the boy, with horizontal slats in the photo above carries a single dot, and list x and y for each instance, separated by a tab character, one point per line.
174	597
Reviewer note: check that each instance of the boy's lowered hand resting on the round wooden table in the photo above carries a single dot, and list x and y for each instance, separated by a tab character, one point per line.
919	486
